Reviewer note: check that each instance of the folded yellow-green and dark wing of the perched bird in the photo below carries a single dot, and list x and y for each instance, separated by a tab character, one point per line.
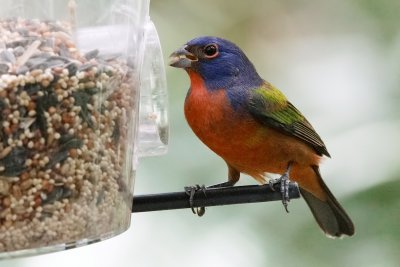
271	108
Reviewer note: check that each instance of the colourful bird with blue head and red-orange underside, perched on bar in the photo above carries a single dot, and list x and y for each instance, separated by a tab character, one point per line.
254	128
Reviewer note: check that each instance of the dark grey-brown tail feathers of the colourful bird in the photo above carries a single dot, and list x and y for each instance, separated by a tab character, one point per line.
329	214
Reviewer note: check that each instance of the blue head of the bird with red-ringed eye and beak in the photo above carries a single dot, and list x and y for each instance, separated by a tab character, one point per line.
221	63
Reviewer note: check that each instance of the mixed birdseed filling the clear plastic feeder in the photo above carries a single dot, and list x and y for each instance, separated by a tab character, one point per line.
65	137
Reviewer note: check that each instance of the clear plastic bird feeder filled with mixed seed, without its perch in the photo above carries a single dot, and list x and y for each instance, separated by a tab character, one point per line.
82	96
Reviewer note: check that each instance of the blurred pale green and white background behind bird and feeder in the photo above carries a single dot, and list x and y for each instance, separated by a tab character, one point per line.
338	62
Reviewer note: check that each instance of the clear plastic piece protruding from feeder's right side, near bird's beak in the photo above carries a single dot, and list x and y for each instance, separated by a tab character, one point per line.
153	117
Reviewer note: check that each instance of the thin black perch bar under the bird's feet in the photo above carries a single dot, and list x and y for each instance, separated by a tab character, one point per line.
212	197
